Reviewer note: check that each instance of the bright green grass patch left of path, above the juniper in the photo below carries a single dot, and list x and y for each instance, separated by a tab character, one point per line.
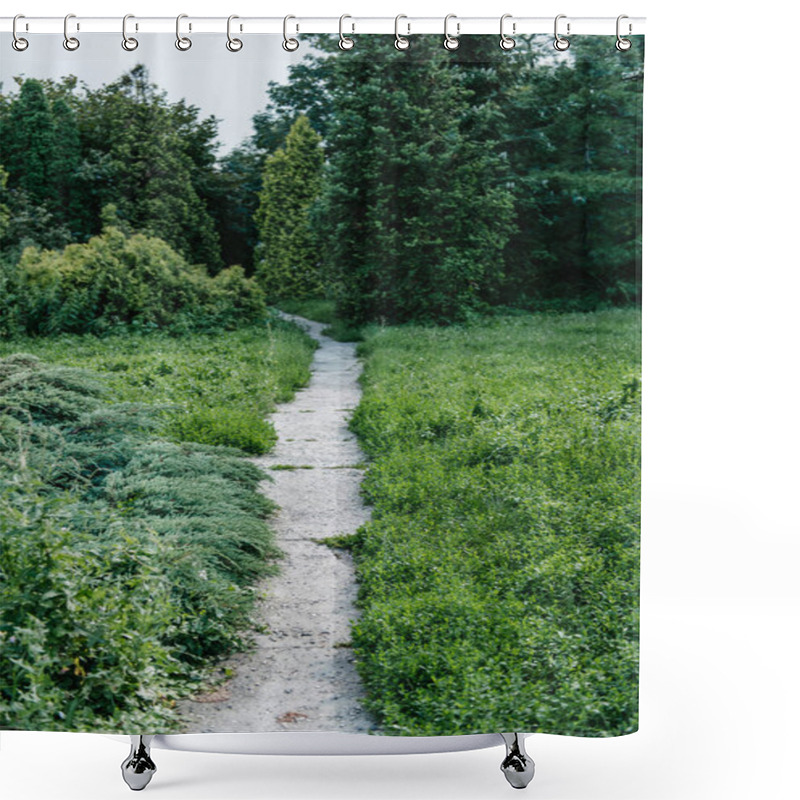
215	388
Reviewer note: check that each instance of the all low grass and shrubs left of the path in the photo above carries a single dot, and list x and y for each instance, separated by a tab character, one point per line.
149	546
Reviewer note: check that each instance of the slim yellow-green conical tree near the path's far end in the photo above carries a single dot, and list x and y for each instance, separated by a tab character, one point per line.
286	261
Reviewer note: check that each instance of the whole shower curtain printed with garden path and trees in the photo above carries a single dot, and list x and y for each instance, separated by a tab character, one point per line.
320	384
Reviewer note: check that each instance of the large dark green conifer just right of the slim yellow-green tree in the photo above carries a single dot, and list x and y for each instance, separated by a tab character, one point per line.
414	215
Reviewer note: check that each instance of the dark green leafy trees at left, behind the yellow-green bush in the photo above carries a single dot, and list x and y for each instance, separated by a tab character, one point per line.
70	150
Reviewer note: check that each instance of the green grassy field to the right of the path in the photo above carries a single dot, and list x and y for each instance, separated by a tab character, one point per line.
499	572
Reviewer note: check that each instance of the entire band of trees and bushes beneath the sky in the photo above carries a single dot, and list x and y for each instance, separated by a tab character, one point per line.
408	186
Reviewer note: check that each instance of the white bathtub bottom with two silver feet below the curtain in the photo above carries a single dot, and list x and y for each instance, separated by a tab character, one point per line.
138	768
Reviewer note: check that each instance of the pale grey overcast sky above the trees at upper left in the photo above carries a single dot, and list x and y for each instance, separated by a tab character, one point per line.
231	86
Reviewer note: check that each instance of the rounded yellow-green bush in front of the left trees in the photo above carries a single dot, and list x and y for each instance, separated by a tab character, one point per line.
119	279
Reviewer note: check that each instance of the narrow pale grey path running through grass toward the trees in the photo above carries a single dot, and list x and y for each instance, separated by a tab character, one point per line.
301	674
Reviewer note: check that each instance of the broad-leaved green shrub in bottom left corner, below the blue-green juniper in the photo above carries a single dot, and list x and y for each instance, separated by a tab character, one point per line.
82	617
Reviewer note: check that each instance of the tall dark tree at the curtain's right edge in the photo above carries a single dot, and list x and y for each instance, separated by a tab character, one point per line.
573	133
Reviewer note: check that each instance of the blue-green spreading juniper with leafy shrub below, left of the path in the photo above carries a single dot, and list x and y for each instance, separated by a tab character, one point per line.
125	562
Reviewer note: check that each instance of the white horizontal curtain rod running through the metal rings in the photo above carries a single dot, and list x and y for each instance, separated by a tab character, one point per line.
408	25
